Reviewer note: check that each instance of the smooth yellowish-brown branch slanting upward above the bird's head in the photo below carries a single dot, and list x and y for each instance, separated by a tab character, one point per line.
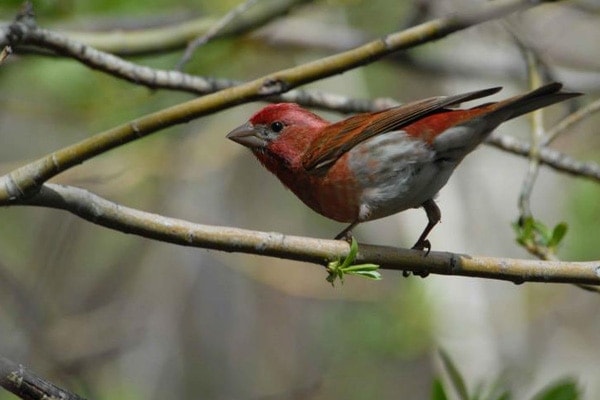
29	178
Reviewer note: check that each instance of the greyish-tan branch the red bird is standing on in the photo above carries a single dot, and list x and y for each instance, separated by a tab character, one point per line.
102	212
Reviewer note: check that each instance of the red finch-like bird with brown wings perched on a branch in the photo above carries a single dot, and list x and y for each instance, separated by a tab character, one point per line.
375	164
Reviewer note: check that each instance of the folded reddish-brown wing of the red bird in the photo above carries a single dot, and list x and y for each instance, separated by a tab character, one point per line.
338	138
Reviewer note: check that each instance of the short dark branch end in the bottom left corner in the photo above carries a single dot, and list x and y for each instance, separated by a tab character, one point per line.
21	382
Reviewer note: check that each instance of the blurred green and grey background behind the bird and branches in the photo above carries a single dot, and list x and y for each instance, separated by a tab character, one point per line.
110	315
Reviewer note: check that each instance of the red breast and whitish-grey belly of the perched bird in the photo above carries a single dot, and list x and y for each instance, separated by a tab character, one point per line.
381	176
